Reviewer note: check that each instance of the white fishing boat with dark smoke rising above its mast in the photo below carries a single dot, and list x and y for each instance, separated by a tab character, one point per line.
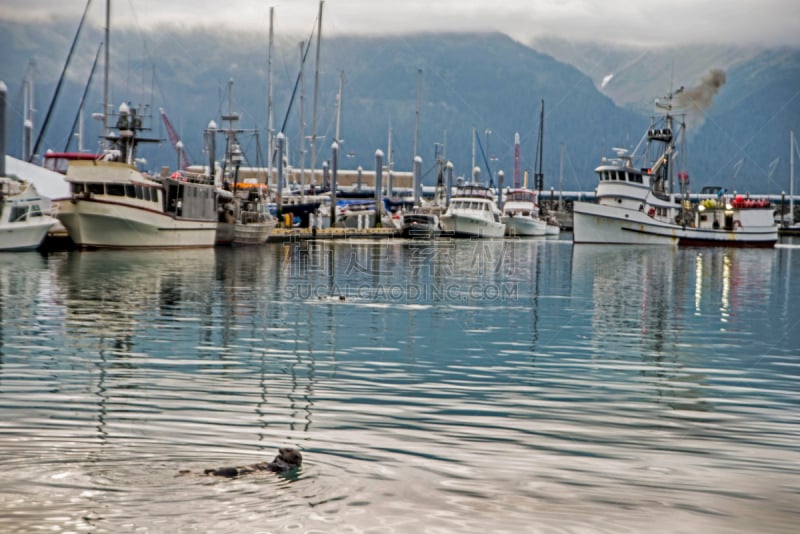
635	203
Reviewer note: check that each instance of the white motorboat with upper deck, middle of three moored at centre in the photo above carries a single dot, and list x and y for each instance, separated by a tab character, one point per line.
473	213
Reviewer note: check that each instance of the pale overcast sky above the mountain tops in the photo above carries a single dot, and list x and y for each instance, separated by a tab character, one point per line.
768	22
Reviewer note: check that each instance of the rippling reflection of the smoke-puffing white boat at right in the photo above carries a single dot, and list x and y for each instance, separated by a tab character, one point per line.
676	311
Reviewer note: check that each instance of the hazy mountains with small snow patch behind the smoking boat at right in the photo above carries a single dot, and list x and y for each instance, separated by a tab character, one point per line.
742	134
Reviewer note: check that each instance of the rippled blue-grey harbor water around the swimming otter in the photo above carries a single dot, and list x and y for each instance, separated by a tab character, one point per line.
448	386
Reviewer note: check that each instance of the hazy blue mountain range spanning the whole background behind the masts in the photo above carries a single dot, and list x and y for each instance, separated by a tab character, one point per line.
487	82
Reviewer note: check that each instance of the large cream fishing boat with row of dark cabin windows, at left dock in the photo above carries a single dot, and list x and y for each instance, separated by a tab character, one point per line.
114	205
